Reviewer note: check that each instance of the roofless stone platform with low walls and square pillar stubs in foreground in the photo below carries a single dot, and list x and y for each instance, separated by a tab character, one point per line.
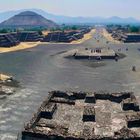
85	116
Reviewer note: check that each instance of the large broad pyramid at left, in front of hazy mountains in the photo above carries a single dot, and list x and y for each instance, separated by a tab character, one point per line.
28	19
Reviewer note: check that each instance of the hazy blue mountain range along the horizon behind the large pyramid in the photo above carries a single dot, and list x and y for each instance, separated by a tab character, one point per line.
73	20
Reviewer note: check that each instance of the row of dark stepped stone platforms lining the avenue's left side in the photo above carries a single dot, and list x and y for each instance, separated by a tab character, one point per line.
14	38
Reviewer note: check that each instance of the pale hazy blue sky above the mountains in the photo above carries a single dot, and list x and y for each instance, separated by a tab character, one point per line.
87	8
